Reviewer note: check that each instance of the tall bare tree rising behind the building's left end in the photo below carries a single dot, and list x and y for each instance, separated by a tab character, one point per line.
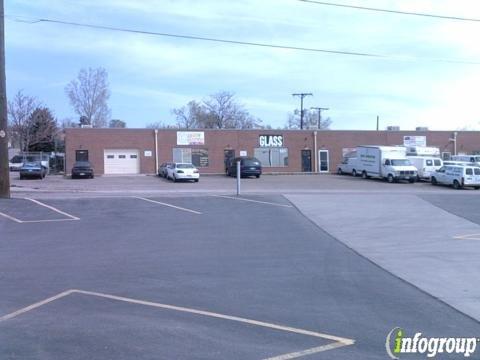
89	94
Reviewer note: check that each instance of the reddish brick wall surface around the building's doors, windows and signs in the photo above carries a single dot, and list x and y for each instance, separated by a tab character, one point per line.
216	141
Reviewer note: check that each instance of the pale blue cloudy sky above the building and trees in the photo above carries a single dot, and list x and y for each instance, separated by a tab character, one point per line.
414	85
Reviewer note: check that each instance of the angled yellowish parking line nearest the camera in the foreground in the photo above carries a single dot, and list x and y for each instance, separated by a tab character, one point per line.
337	341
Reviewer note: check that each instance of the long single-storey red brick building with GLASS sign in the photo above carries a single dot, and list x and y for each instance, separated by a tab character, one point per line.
130	151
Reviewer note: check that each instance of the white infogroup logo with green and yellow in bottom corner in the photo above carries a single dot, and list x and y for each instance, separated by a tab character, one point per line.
397	343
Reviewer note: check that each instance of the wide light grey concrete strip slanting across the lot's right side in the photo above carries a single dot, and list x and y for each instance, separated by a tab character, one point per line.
408	237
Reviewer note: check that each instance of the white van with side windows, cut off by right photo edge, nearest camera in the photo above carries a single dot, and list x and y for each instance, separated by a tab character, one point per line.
458	176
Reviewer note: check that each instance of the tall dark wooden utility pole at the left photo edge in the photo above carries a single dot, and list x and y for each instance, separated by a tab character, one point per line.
4	169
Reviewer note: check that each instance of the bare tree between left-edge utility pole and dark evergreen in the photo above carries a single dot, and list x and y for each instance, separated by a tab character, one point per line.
20	110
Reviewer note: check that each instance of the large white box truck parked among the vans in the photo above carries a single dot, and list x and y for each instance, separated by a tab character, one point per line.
386	162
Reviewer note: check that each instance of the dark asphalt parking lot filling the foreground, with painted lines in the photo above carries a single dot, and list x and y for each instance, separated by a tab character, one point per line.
204	277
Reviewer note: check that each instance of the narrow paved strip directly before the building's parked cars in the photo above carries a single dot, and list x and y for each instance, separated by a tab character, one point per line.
59	186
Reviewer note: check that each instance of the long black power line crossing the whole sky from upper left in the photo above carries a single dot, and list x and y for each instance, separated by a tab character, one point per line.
26	20
